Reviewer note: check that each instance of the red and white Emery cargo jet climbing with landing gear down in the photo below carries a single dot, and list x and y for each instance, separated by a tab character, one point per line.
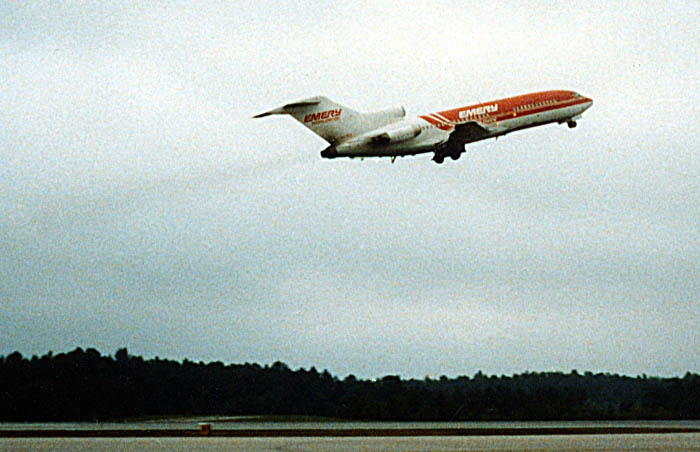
389	133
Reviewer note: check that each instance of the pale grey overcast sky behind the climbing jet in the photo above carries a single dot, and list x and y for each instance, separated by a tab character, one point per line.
142	207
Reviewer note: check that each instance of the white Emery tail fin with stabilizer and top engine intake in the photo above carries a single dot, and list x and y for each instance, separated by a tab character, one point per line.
331	121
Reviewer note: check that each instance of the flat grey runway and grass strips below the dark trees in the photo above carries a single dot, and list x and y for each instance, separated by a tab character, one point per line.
251	435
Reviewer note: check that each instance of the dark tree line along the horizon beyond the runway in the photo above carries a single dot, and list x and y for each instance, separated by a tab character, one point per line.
84	385
